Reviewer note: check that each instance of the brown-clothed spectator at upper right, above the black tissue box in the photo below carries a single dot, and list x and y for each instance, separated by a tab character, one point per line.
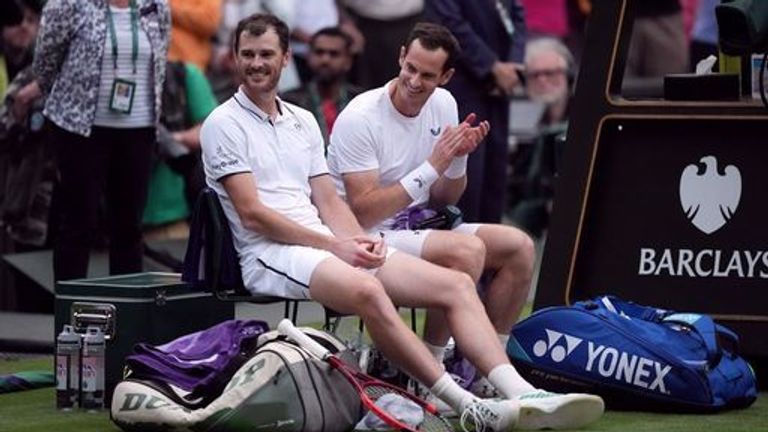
658	44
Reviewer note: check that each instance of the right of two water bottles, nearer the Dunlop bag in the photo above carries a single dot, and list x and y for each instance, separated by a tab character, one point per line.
93	369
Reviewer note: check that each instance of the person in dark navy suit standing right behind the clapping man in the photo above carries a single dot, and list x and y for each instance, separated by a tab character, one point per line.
492	38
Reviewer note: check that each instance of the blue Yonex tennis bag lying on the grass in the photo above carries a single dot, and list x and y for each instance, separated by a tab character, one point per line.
636	357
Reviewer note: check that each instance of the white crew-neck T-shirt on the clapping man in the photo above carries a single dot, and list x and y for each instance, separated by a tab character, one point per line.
370	133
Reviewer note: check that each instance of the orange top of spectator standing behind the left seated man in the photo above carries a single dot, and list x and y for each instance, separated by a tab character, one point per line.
194	23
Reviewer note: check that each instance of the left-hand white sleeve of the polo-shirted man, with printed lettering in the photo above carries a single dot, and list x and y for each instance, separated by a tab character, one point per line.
223	143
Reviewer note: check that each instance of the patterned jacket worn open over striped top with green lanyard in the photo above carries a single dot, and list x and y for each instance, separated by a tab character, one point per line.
69	51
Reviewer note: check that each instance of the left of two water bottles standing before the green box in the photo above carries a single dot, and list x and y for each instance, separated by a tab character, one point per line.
67	368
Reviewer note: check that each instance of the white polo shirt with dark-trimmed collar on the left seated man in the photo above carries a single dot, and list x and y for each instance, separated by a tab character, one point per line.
239	137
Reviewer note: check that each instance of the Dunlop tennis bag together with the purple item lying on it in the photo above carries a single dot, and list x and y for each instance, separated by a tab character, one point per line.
235	377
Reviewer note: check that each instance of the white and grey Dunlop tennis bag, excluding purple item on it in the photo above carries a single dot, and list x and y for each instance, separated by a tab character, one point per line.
280	388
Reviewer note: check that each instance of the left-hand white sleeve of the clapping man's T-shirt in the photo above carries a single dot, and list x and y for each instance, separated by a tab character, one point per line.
352	144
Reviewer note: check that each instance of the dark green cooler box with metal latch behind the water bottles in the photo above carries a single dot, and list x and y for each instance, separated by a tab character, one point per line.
144	307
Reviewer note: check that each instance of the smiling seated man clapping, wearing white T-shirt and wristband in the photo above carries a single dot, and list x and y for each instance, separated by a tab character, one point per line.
393	154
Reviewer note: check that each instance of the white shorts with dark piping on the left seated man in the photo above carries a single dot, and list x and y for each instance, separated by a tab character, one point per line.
286	270
